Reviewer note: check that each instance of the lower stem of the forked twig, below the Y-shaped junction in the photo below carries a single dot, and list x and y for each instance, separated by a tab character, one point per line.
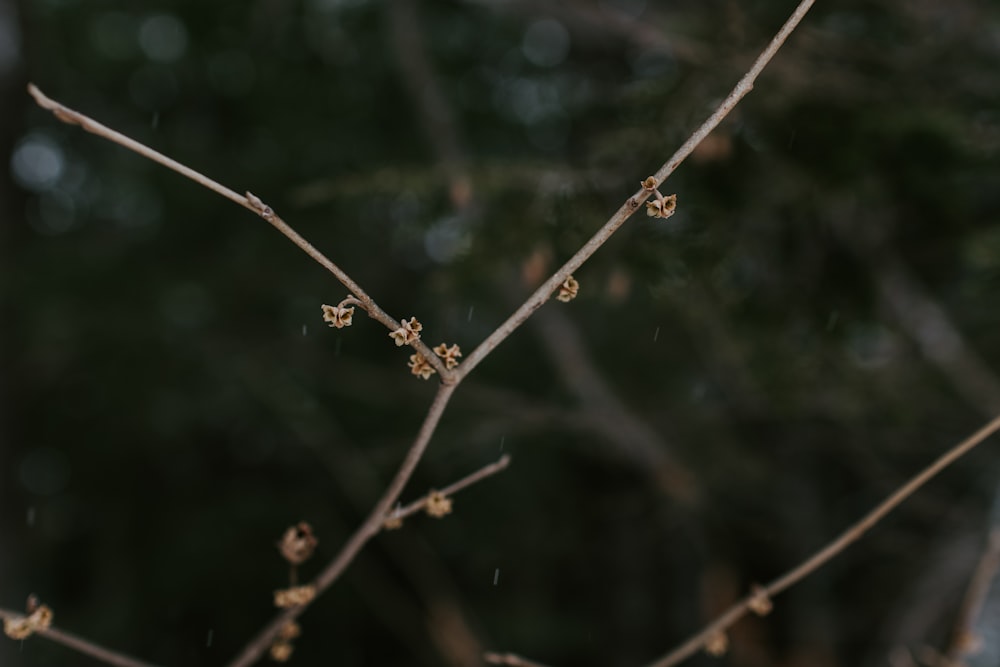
256	647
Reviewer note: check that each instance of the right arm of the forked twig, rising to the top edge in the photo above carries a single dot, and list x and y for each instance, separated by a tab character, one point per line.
632	204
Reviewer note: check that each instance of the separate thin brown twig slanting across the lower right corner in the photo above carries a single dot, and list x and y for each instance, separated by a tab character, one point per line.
740	609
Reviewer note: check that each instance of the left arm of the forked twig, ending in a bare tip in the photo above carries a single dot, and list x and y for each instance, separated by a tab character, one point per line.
250	202
